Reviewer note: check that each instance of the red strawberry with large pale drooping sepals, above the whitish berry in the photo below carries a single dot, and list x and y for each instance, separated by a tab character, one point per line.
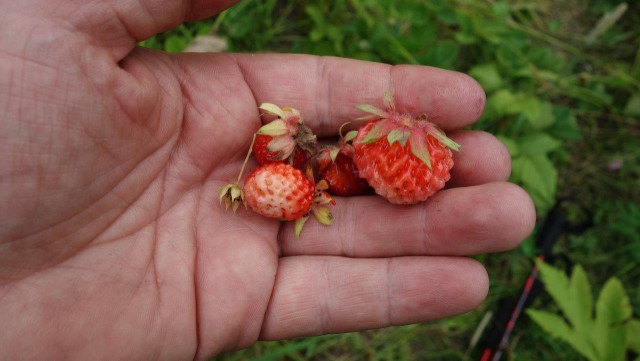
285	139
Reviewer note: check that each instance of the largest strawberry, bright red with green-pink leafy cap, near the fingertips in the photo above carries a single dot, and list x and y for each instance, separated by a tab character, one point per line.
406	159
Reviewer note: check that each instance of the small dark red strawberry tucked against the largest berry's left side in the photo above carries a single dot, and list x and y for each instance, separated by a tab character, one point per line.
338	170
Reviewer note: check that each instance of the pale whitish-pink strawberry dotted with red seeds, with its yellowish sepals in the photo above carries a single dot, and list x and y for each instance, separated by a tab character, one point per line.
280	191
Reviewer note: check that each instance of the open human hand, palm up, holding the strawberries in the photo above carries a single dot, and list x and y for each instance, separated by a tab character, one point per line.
112	243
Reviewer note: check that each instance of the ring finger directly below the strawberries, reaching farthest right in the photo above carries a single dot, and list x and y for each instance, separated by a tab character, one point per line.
459	221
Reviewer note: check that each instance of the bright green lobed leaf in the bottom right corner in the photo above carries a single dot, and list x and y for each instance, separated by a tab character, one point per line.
603	335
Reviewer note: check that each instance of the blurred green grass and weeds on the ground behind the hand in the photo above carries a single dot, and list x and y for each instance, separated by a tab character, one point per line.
563	88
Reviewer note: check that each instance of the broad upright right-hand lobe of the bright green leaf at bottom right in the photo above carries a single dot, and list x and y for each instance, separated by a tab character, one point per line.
612	309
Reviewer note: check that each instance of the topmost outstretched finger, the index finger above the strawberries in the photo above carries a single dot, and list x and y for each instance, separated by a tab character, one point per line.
326	89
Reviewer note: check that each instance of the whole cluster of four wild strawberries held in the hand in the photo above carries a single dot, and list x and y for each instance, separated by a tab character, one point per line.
403	158
